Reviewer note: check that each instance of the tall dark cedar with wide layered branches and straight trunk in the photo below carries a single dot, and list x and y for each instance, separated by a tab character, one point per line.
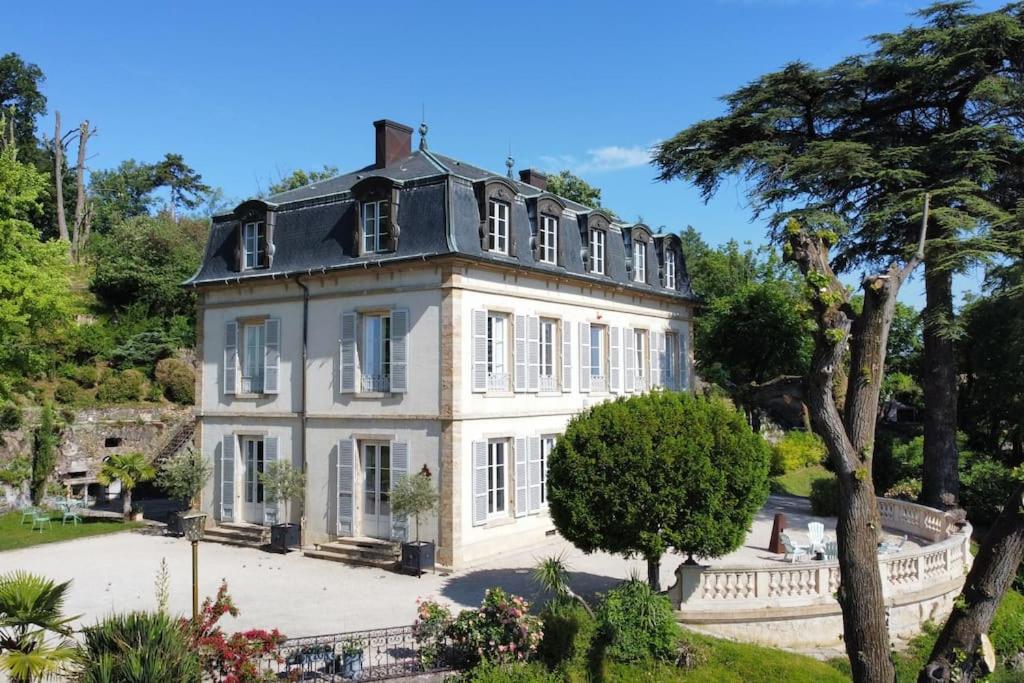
934	108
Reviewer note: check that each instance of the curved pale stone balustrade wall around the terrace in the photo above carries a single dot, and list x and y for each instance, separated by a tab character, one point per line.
794	606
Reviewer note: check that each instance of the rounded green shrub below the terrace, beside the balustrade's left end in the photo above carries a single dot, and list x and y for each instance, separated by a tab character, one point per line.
637	624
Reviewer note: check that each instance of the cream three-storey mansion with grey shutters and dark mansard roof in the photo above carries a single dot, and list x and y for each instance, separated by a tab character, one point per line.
423	315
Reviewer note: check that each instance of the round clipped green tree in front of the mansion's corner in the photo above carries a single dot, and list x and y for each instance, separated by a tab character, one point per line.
641	476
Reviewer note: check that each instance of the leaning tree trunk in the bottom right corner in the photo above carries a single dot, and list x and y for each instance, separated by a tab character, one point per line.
994	572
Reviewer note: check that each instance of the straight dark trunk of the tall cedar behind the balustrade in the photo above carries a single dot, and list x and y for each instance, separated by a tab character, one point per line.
941	482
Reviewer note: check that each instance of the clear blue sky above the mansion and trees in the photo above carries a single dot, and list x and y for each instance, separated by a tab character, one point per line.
249	92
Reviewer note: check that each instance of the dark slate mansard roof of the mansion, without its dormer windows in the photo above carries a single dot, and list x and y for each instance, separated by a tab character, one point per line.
439	215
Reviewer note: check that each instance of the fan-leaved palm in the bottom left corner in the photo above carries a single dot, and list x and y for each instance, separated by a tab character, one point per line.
33	628
